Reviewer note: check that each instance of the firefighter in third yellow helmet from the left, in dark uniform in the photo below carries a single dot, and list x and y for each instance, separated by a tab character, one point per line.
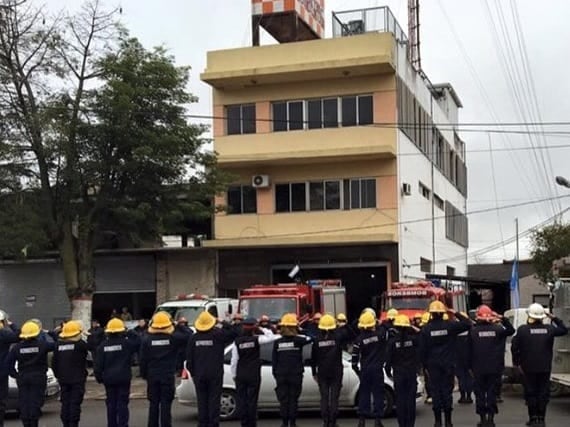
113	370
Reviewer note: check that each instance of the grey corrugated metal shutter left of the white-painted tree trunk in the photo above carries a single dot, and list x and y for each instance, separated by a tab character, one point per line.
34	290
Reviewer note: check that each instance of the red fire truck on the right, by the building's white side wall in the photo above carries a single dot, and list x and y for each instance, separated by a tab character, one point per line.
412	298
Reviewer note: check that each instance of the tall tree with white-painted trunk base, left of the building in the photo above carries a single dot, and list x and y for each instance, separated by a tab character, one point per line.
98	125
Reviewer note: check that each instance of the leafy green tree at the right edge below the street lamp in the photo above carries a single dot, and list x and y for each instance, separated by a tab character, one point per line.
549	244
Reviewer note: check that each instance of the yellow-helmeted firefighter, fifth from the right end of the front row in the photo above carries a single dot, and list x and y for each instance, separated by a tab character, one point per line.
368	357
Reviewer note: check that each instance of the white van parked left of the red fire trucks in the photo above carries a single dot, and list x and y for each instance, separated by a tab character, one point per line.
191	305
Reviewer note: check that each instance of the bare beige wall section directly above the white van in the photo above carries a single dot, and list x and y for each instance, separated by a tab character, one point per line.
185	271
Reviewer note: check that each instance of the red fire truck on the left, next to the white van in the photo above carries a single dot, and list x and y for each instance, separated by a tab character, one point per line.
304	299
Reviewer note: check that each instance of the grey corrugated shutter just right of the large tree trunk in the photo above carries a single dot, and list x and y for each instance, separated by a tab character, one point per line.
136	273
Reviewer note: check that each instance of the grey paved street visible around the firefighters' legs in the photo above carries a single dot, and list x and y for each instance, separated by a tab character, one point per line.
513	415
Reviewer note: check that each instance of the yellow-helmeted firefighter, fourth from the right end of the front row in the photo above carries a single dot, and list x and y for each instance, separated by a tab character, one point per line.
402	362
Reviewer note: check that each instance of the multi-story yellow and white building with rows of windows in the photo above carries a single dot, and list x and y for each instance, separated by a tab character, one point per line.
346	161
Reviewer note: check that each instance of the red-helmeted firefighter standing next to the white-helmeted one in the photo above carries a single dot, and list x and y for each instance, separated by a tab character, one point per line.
486	343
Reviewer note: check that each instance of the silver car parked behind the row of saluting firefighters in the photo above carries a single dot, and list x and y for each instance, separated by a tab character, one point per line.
310	398
